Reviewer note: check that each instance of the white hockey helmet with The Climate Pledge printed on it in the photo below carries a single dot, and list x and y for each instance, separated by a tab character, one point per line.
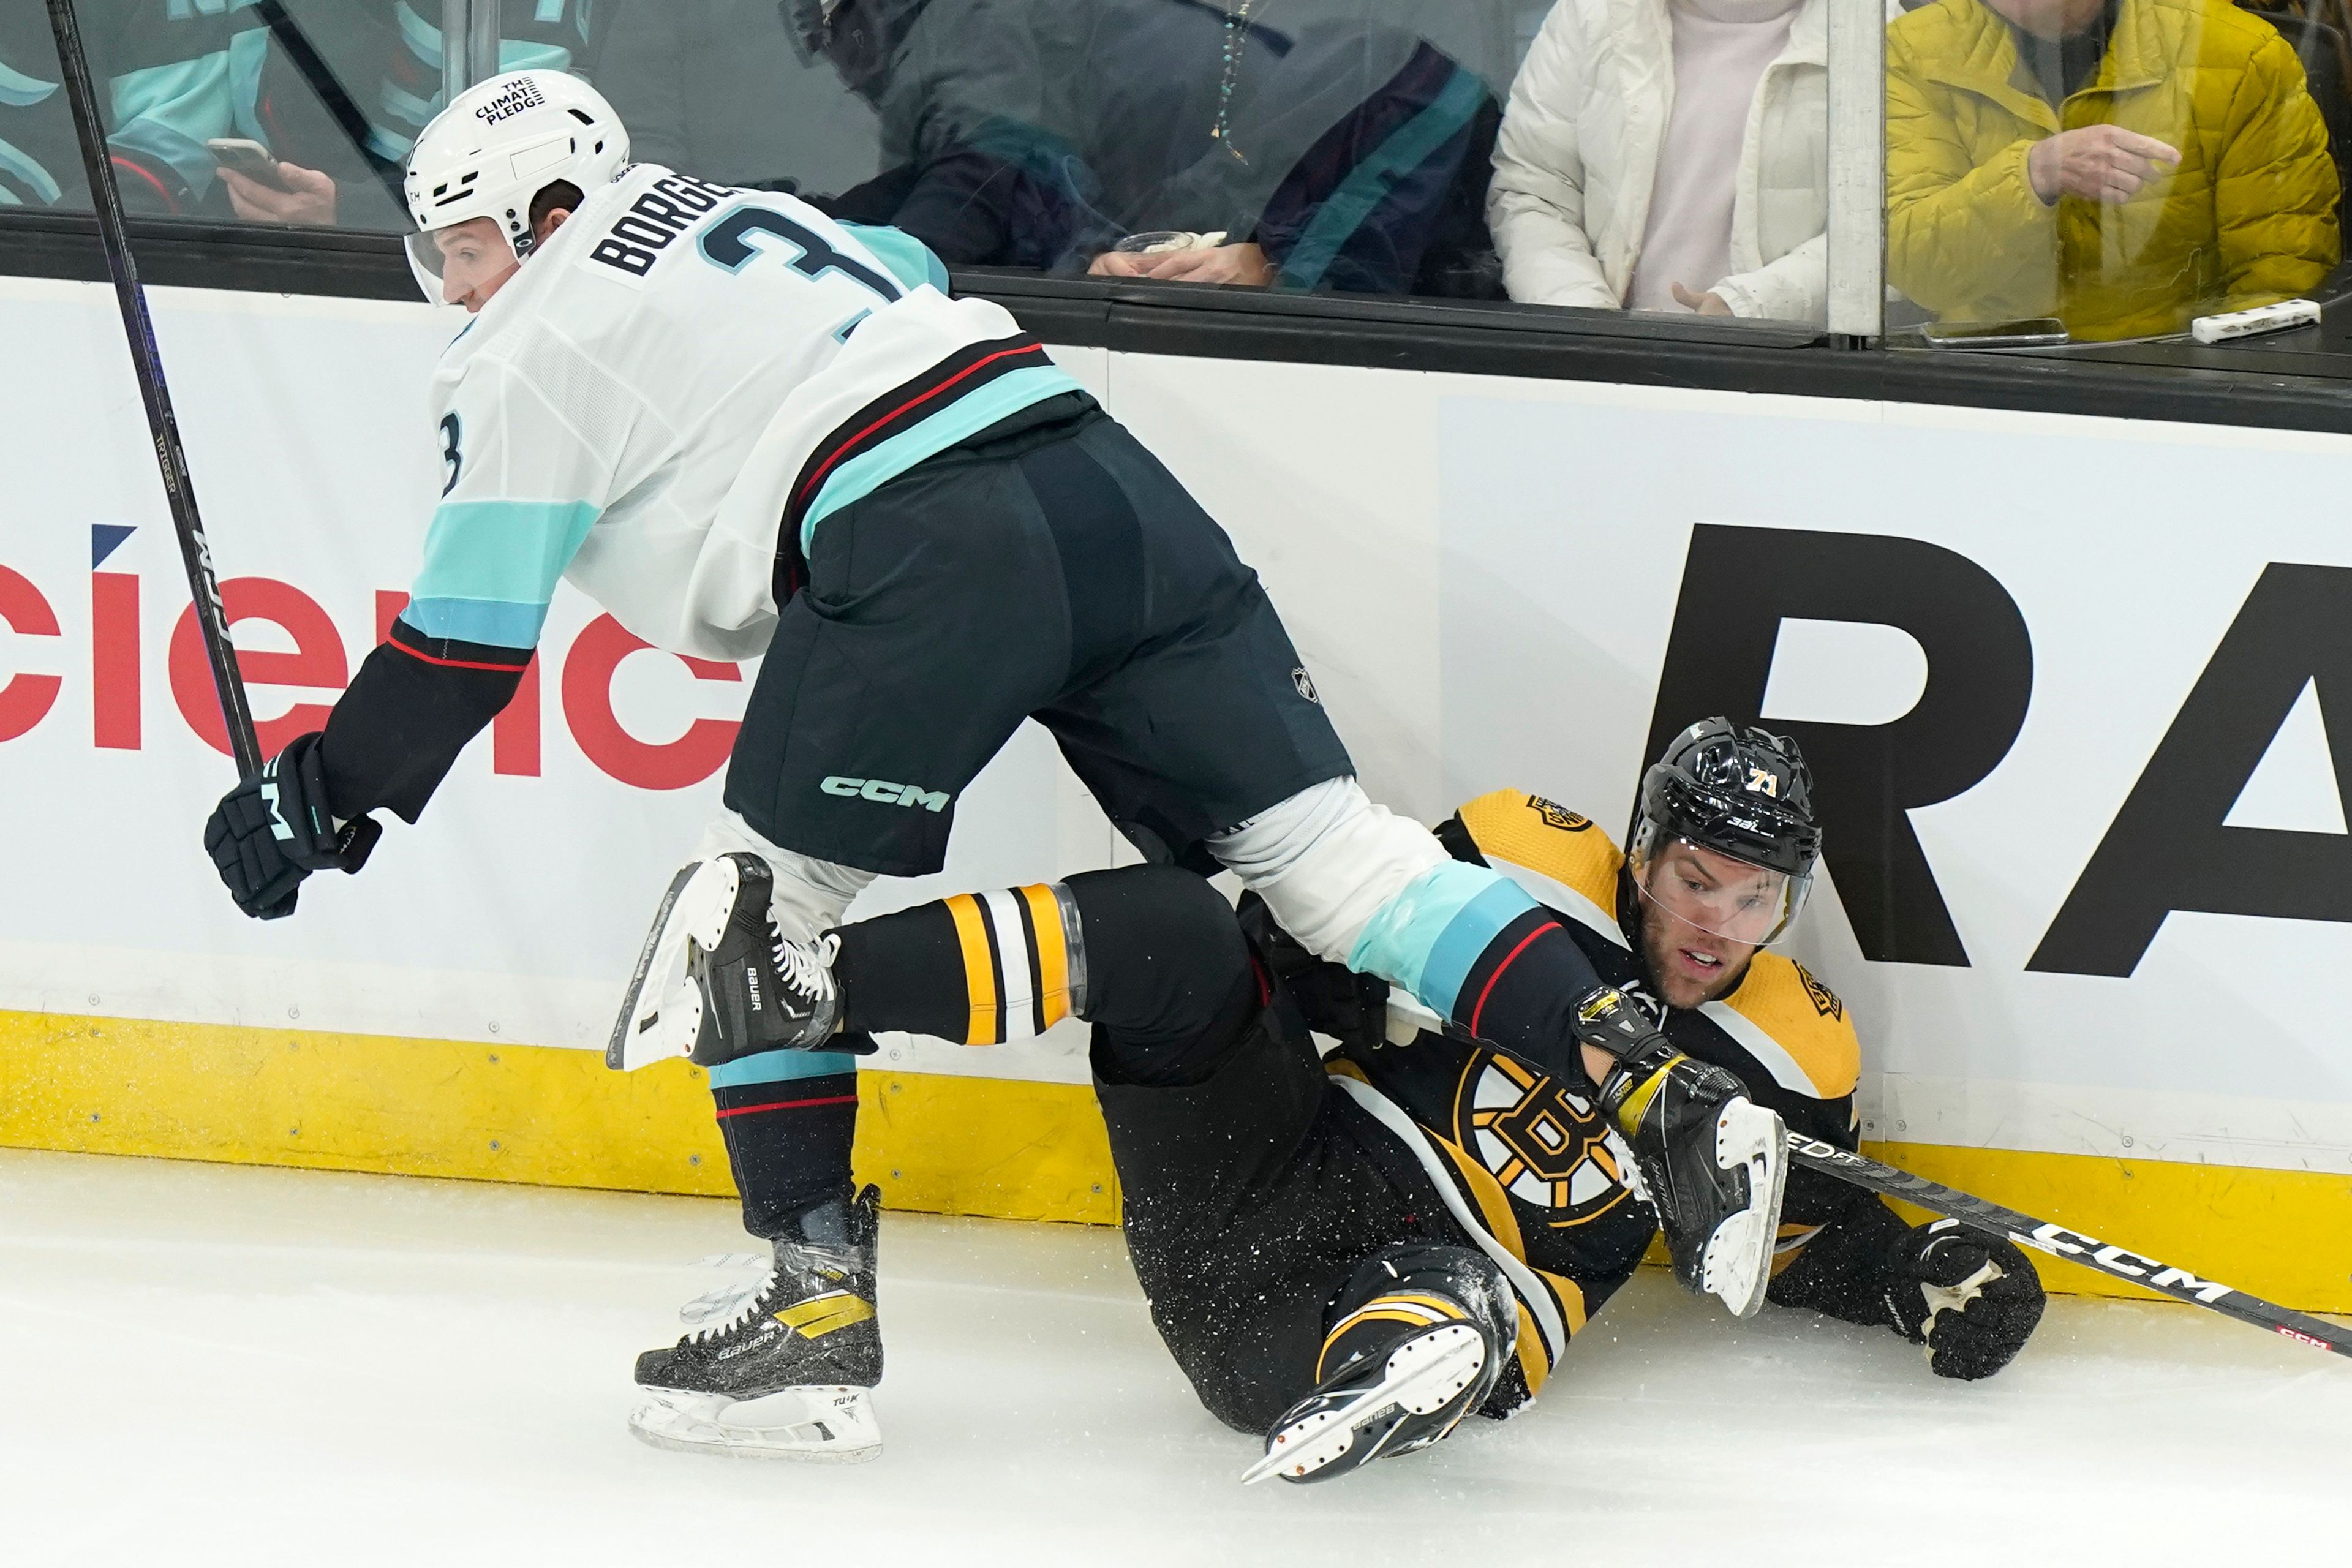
500	145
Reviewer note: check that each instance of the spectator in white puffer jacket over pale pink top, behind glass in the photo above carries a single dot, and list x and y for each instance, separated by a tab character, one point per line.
1669	156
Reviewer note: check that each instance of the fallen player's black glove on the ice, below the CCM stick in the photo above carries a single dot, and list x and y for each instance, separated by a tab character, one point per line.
1970	1299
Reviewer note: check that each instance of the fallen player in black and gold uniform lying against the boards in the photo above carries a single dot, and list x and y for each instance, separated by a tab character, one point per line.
1354	1254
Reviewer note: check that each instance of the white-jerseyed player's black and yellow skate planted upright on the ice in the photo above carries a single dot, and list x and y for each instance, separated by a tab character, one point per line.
787	1372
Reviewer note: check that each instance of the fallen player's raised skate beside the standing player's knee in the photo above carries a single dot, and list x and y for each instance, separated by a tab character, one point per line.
719	981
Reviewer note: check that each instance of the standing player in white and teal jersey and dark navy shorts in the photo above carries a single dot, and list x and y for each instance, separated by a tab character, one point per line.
751	431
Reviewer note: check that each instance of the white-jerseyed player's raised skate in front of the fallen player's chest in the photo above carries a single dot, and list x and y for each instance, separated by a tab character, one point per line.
1713	1162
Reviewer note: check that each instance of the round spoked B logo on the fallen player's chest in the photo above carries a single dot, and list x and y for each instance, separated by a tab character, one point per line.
1542	1144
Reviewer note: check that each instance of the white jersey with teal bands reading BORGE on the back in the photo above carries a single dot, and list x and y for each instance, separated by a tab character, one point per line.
636	406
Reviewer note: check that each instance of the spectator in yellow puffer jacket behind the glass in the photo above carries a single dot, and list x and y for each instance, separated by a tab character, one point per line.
2123	166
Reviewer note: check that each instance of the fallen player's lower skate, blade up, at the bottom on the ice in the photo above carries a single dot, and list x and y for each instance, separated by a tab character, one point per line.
1419	1341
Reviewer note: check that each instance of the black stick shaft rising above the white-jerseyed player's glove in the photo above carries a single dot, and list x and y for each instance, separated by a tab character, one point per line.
171	457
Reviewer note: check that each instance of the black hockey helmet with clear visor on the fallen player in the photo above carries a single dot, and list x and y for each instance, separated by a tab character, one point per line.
1739	793
